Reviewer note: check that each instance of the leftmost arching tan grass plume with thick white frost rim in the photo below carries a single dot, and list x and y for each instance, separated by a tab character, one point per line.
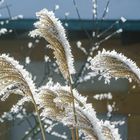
21	76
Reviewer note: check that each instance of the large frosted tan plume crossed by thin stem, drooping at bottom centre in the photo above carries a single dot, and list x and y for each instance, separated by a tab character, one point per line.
56	104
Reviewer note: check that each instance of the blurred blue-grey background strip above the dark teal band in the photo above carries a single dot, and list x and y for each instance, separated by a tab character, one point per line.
129	9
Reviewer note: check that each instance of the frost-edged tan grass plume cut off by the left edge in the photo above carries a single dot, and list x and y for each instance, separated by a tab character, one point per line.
13	78
